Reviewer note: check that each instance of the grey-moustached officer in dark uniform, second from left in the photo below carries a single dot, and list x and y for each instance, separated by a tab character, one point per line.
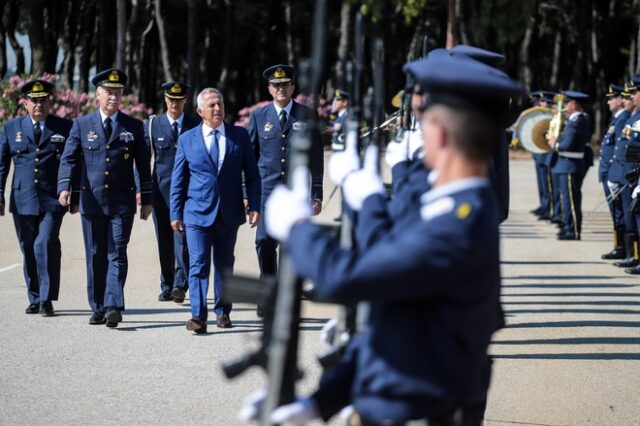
104	146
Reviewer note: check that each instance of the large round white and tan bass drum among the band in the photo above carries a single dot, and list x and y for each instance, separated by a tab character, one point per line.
531	129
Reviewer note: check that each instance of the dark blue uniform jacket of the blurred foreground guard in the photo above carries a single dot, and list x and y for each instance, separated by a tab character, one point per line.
434	296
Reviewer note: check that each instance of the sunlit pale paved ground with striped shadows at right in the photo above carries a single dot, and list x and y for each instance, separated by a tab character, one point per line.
569	356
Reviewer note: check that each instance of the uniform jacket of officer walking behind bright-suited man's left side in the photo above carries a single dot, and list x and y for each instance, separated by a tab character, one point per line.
164	152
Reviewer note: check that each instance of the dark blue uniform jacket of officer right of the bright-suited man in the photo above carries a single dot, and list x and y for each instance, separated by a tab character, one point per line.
271	145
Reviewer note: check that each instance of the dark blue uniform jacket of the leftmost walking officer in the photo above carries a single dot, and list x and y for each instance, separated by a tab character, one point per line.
35	175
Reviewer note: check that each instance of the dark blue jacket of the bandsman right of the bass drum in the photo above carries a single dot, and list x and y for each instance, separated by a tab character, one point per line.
573	140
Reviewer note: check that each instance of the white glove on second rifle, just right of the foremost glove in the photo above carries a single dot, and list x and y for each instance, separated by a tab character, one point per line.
365	182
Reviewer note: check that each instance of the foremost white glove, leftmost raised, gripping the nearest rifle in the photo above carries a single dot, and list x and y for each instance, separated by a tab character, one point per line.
285	207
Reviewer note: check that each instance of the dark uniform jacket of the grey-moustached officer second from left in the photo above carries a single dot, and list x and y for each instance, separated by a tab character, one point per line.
107	185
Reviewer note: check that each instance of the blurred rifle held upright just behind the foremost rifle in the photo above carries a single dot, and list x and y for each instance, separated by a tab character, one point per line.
347	314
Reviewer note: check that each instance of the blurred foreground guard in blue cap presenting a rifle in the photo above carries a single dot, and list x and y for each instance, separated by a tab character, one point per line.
423	357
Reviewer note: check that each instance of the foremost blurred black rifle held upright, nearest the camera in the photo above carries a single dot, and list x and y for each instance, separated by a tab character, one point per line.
279	345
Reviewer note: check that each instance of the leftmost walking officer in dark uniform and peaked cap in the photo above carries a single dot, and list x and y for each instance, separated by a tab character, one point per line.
35	142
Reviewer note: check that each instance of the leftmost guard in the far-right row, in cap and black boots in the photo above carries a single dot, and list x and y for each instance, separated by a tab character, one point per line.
614	130
